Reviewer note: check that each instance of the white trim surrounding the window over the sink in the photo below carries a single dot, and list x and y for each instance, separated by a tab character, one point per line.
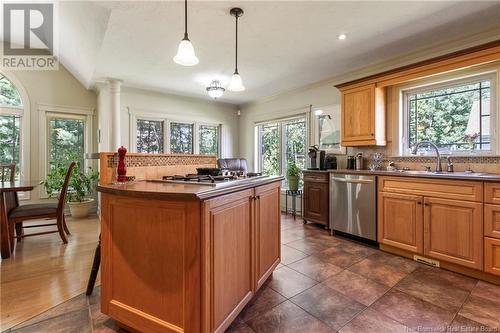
450	79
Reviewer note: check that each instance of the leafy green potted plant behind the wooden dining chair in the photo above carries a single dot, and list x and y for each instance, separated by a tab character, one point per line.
82	186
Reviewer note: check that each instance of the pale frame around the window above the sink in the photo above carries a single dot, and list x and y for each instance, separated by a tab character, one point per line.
448	81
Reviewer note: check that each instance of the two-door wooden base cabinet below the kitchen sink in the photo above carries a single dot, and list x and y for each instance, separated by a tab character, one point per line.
439	228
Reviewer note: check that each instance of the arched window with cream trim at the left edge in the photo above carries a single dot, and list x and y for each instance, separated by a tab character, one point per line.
13	126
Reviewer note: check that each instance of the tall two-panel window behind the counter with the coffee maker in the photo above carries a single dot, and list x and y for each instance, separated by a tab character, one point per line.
281	143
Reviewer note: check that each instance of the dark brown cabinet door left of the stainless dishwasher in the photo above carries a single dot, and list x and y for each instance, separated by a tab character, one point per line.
316	202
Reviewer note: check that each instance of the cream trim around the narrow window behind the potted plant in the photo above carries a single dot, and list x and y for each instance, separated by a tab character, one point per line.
45	113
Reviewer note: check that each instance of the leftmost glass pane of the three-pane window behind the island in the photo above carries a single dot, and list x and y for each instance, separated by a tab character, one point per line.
150	136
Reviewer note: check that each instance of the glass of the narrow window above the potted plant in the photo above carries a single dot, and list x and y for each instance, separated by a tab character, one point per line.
66	140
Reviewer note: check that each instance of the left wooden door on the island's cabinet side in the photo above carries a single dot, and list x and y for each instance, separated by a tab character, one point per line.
231	256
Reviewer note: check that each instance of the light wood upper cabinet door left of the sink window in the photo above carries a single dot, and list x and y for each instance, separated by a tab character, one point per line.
358	114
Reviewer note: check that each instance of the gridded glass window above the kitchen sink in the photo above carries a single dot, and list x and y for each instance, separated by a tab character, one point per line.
457	116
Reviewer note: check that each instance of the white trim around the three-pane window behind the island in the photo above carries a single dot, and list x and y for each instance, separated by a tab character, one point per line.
135	115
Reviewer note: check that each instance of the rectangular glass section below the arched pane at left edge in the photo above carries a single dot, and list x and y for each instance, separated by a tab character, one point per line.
10	141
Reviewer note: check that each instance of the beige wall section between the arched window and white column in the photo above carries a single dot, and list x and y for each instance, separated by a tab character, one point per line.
57	88
